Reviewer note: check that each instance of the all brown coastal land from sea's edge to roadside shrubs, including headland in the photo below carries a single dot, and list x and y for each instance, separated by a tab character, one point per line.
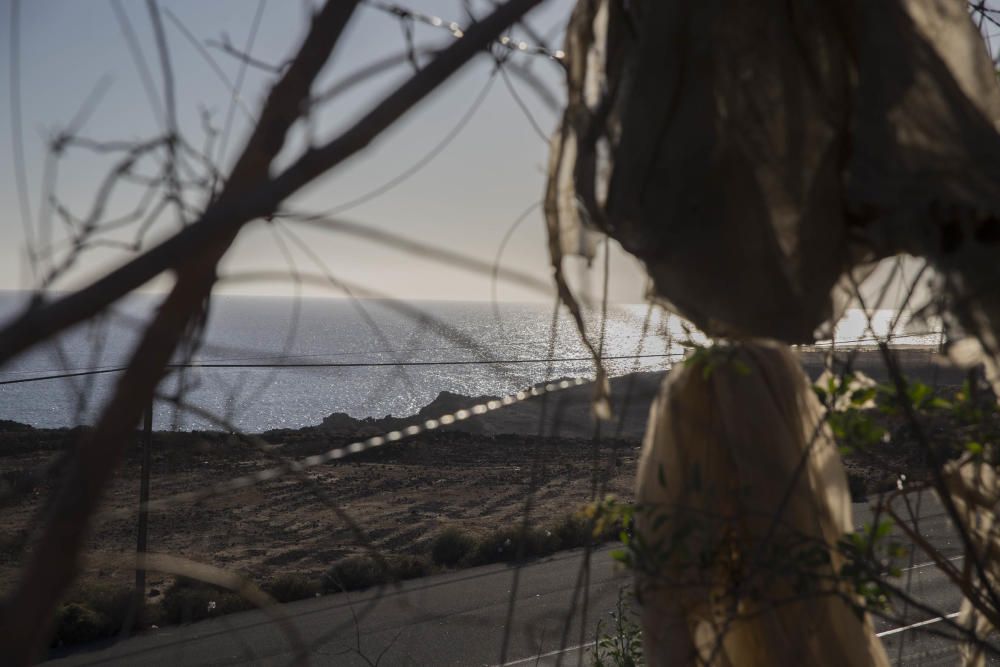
433	481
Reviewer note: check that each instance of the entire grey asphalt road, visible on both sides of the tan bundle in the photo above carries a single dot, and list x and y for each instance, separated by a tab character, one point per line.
459	619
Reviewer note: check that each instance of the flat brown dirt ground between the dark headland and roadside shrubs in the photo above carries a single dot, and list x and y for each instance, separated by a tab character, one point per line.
400	496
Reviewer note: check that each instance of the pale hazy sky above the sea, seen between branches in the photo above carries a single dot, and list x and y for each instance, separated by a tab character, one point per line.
465	199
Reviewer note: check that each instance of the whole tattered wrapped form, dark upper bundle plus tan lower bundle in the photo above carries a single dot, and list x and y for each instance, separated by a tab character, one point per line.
757	157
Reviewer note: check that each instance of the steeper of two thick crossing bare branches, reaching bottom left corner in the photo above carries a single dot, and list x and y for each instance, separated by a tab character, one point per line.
54	561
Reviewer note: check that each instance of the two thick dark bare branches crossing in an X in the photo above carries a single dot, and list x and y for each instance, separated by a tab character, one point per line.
193	253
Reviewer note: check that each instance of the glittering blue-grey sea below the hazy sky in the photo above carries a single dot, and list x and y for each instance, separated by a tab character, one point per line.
281	362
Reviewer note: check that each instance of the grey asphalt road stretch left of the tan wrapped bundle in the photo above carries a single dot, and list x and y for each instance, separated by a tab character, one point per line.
453	619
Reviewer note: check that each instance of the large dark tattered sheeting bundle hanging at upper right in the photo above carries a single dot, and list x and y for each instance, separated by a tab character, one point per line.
756	155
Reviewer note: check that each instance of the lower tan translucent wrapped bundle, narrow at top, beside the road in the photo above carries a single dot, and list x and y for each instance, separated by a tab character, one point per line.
742	499
